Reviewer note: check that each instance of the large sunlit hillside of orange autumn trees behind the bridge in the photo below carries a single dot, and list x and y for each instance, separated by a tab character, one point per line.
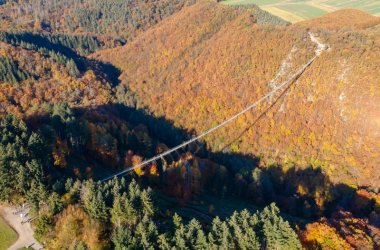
208	61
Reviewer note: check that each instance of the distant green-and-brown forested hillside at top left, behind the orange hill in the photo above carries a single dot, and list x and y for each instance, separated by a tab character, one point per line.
117	18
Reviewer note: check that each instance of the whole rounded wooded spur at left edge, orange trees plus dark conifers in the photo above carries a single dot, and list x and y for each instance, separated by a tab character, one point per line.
33	75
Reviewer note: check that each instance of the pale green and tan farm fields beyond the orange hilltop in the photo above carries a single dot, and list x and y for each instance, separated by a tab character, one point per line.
298	10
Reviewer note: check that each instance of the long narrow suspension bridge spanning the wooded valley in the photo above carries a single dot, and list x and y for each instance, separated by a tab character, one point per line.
222	124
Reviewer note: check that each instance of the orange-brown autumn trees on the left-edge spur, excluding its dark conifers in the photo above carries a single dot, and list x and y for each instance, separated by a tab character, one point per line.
49	83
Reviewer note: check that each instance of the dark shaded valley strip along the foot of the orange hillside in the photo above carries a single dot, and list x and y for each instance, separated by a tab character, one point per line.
305	192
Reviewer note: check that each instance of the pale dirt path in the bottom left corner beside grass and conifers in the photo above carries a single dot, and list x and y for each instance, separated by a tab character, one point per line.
24	231
